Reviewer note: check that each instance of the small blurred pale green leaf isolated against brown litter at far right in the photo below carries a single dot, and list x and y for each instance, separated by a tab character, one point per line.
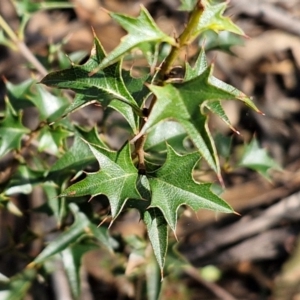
257	159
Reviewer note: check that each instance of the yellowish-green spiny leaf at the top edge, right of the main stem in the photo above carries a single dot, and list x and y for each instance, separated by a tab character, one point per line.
212	19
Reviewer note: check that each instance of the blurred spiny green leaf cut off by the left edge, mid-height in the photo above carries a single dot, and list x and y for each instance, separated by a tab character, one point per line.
11	130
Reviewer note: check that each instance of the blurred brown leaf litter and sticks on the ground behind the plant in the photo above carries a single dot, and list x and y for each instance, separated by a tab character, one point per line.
252	256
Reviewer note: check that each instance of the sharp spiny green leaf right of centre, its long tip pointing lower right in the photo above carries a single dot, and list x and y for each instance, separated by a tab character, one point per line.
173	185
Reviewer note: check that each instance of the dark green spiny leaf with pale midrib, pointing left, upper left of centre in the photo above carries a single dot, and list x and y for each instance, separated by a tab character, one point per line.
104	86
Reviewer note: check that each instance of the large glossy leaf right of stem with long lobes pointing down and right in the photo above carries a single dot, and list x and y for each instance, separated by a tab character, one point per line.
184	102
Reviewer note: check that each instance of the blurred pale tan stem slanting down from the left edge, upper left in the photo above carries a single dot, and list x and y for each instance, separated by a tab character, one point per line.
22	47
